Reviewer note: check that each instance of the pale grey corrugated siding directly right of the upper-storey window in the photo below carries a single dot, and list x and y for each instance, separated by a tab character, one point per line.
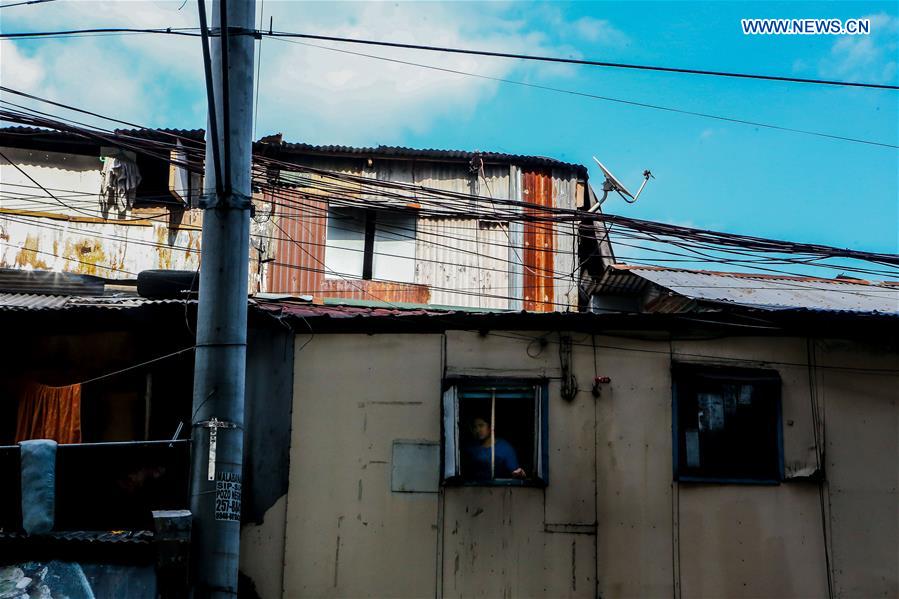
463	262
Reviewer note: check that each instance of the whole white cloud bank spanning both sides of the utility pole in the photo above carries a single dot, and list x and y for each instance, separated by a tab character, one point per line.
309	94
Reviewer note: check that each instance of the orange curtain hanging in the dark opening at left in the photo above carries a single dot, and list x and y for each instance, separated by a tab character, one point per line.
50	413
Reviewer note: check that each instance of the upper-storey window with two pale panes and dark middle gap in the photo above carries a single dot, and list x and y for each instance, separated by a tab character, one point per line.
369	244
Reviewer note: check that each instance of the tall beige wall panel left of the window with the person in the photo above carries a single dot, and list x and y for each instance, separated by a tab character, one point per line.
347	534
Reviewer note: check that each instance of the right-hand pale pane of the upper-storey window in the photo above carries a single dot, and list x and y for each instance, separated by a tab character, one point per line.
394	258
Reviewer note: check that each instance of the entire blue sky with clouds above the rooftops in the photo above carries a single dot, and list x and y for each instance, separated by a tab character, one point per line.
709	173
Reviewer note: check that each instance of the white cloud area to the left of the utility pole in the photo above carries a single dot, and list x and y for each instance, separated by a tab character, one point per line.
131	77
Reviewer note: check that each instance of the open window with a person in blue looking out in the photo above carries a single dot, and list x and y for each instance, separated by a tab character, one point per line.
495	432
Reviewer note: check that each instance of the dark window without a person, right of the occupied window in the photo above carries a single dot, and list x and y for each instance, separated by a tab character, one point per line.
727	424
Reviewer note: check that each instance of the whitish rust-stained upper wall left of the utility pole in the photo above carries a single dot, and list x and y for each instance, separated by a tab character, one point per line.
39	233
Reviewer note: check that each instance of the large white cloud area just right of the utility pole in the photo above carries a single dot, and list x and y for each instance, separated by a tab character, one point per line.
323	95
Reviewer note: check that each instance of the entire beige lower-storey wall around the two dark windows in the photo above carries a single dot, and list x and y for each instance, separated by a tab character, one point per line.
611	520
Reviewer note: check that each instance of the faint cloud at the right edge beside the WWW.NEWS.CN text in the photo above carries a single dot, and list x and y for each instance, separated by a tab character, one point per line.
870	58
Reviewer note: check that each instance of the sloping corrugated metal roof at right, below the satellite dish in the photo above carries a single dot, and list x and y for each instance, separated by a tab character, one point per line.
775	292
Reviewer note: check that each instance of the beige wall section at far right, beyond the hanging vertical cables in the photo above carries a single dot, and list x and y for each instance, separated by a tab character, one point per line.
861	415
